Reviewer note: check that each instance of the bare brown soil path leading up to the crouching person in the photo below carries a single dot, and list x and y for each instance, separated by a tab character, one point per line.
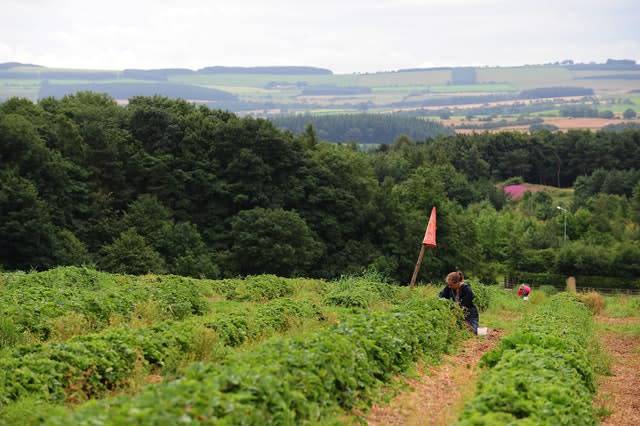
438	393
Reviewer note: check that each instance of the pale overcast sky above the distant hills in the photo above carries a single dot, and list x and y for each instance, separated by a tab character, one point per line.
345	36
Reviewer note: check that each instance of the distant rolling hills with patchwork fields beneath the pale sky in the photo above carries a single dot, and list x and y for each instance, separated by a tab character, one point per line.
467	97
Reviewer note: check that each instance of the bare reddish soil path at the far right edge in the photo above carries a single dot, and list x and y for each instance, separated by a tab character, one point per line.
619	393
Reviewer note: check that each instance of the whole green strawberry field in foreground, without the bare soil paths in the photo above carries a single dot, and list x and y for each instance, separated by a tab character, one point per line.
80	346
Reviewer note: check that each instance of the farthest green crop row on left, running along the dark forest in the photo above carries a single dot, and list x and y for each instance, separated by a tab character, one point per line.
34	302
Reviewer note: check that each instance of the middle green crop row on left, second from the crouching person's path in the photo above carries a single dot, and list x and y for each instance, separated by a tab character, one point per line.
91	365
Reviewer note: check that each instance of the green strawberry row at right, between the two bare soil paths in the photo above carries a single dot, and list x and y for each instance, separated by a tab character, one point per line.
541	374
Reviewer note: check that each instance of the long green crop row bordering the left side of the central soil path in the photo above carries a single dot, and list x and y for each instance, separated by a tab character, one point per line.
292	380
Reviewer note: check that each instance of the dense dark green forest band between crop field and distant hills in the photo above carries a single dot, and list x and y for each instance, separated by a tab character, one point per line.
163	185
